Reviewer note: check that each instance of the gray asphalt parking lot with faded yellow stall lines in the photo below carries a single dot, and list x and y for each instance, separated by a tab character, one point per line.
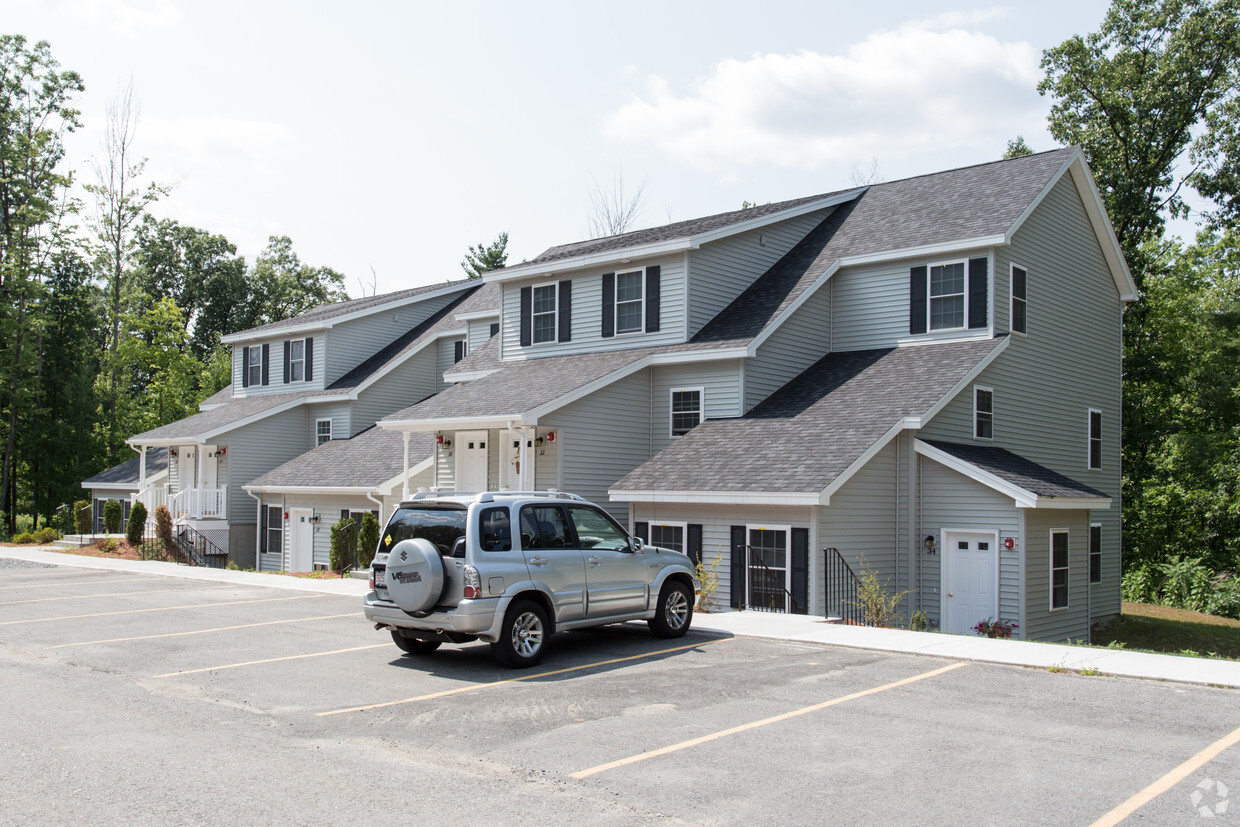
143	697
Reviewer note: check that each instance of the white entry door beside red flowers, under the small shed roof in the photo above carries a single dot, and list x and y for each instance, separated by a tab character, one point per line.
970	588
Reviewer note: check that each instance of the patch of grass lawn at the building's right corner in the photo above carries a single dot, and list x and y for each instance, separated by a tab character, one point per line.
1174	632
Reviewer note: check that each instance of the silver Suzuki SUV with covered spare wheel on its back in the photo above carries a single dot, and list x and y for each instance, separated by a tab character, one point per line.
514	568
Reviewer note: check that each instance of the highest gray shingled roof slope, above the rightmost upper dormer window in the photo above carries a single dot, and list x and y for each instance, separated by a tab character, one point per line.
943	208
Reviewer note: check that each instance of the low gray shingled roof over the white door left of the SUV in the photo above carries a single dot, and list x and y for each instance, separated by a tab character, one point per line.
365	462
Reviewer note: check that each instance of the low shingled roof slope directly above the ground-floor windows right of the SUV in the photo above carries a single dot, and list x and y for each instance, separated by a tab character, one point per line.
809	432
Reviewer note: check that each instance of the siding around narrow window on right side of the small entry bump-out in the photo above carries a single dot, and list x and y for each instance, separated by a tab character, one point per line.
1042	623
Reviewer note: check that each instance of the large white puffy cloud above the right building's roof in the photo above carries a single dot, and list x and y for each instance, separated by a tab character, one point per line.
895	95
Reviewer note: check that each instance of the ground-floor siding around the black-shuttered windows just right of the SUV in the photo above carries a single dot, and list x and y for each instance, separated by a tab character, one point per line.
717	523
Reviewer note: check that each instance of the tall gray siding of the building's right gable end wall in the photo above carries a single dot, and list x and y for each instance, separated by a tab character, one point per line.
1046	383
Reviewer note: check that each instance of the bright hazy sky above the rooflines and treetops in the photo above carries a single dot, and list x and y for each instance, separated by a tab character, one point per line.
394	136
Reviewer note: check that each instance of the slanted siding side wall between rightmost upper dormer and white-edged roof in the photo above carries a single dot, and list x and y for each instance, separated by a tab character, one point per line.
798	344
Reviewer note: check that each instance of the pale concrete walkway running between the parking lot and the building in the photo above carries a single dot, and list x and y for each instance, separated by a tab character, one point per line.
759	624
